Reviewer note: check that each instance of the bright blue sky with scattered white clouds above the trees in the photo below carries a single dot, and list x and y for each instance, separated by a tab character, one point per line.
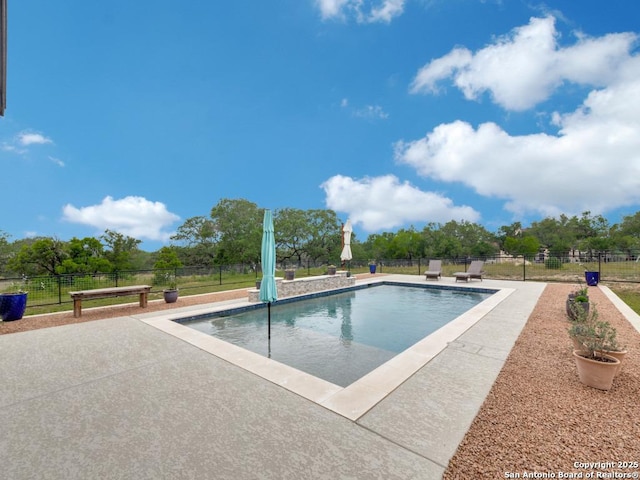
134	116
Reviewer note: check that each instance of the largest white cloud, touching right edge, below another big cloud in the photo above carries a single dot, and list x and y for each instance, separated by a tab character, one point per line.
593	163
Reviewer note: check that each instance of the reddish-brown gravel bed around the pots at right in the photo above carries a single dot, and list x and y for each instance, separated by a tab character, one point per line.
538	418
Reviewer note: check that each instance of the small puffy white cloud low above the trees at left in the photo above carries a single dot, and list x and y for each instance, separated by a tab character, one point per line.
136	217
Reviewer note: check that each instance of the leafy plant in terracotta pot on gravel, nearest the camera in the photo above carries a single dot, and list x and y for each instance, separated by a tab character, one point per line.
596	367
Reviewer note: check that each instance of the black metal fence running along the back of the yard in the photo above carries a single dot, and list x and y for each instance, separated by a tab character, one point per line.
54	289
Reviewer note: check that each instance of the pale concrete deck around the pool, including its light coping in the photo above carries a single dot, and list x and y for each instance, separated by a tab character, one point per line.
126	398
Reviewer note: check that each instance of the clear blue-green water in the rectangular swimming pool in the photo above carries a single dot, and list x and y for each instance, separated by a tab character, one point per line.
344	336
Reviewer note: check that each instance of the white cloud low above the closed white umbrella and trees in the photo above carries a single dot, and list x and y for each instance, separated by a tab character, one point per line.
384	202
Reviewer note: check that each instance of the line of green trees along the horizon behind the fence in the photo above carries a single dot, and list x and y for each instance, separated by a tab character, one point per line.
232	232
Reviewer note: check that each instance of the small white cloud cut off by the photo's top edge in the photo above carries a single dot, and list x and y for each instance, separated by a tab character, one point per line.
364	11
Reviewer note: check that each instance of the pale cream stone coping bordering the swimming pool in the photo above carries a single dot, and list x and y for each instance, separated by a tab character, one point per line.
355	400
